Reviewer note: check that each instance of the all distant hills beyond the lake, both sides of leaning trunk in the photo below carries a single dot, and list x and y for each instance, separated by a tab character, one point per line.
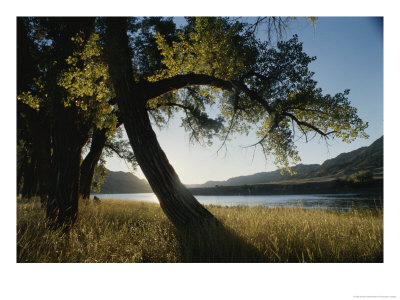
365	158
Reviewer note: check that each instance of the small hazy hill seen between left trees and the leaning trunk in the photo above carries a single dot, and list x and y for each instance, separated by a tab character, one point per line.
123	183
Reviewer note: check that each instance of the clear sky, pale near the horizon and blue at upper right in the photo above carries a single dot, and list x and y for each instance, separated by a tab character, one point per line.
349	53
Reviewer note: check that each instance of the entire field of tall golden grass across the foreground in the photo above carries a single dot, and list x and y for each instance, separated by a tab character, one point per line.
123	231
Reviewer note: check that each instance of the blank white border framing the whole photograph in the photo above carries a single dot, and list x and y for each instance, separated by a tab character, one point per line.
199	281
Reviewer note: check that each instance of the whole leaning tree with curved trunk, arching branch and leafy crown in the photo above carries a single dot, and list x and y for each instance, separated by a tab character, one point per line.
217	62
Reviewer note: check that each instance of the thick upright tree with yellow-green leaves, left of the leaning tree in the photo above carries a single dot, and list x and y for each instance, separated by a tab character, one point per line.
66	83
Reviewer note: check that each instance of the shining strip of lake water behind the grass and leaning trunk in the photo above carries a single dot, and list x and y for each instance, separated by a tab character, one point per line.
319	201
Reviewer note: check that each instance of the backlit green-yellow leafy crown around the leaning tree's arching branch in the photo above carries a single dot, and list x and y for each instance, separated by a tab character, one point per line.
274	93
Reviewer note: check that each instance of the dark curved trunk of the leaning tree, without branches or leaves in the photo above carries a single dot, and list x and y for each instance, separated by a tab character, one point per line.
176	201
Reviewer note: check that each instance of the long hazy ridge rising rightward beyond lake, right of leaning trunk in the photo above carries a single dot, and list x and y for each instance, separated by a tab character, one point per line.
365	158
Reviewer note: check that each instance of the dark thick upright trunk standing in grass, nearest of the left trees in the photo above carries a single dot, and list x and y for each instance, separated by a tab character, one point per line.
69	125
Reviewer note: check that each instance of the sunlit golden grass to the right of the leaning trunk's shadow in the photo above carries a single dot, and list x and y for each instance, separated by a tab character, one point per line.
309	235
